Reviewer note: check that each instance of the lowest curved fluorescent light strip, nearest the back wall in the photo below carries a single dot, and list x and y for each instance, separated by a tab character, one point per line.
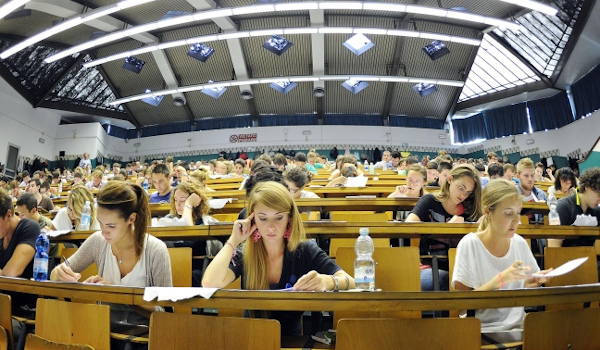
359	78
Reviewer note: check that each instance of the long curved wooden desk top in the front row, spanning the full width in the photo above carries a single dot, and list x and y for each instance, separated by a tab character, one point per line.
315	301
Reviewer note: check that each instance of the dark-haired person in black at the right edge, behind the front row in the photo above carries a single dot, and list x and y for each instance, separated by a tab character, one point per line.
585	200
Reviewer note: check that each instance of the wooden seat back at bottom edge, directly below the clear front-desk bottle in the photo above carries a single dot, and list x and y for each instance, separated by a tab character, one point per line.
388	334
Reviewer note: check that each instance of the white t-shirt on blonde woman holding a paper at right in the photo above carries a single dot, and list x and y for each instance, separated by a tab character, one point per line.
475	266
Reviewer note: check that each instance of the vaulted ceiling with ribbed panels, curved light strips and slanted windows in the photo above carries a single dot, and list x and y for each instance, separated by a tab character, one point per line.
508	61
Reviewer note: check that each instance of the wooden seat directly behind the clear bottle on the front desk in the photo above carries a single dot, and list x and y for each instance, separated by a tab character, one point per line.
396	269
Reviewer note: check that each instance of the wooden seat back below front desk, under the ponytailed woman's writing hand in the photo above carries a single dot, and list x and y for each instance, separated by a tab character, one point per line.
73	323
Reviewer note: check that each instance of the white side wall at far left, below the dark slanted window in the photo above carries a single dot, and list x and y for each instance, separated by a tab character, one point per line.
22	125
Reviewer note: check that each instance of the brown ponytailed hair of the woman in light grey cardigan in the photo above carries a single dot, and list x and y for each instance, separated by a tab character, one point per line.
127	199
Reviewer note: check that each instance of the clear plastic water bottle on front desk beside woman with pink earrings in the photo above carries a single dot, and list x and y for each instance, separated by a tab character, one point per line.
364	265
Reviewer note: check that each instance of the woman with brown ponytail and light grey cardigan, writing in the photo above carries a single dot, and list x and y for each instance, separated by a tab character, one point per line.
124	253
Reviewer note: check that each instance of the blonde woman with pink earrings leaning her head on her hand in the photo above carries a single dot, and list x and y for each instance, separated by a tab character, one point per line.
276	256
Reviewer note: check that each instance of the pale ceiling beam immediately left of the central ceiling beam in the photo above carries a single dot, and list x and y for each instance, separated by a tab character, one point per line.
235	51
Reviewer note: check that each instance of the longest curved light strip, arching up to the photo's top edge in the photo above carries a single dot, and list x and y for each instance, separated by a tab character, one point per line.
299	6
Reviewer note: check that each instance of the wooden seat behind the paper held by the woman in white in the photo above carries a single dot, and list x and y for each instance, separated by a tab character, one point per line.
584	274
